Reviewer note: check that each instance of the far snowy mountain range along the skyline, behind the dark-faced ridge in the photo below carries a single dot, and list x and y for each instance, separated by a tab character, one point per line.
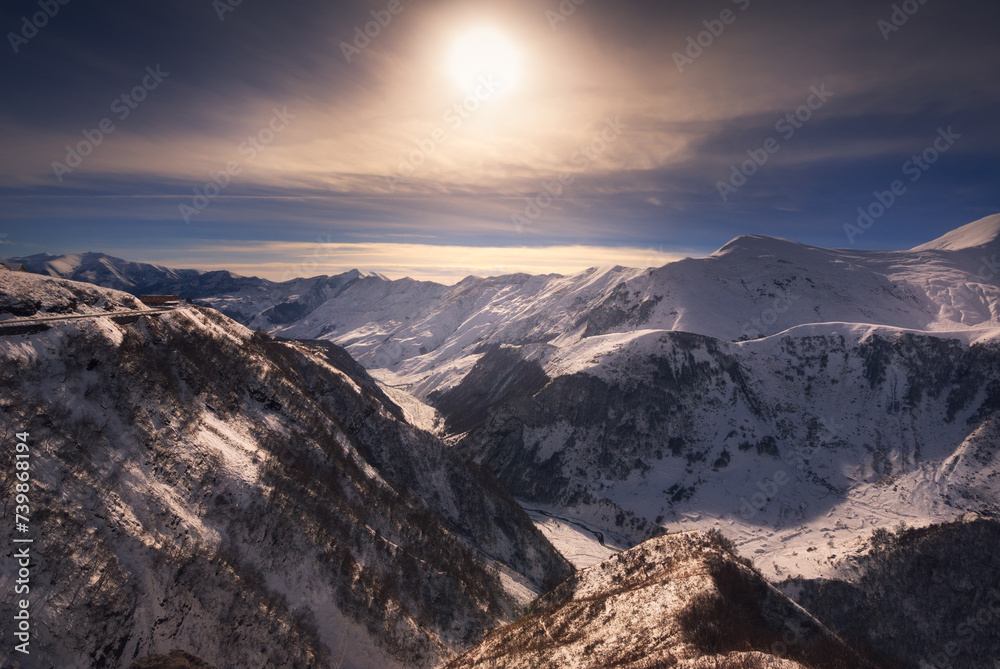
752	287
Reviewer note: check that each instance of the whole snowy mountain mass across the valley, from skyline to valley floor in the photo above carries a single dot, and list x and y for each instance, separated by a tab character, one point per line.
797	395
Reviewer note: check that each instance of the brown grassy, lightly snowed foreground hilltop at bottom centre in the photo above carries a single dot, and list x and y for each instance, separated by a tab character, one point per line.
681	600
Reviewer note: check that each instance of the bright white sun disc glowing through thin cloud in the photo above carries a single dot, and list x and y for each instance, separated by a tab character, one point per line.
485	55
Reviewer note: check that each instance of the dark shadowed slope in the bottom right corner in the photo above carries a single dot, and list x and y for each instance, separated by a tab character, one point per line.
921	597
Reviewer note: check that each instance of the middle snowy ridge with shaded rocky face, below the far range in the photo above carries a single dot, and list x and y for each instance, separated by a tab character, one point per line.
794	445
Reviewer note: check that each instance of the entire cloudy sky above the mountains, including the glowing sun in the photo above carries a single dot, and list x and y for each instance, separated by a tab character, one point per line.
437	139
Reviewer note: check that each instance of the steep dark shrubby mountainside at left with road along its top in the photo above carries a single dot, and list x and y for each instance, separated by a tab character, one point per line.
196	486
